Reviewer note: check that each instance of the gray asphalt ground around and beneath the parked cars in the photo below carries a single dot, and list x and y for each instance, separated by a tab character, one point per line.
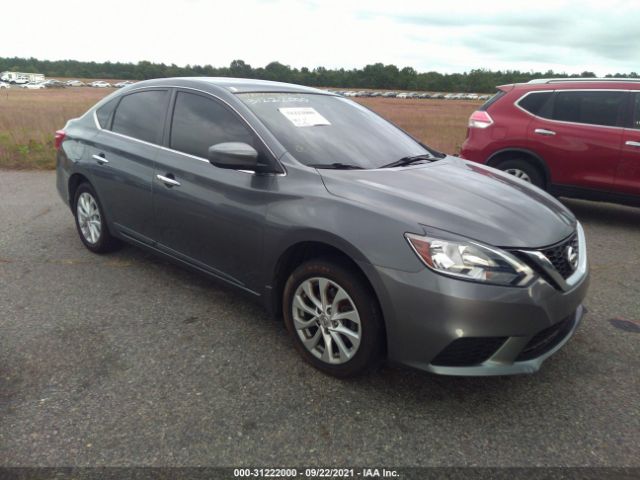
126	359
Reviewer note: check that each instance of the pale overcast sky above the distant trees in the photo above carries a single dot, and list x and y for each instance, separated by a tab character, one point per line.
453	36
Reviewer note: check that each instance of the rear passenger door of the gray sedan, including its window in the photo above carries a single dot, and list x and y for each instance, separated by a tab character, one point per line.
122	159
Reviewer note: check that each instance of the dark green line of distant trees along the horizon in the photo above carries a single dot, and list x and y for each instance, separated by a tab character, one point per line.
376	75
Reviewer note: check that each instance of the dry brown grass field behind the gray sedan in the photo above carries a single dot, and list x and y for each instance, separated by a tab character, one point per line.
29	118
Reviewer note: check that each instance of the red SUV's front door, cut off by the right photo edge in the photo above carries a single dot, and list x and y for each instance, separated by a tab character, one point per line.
628	179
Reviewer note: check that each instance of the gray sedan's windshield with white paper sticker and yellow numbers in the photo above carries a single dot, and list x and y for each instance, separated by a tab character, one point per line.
331	132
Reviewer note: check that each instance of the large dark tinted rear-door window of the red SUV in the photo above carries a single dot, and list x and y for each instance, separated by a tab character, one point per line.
590	107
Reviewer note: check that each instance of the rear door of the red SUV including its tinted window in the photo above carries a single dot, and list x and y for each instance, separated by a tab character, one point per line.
580	137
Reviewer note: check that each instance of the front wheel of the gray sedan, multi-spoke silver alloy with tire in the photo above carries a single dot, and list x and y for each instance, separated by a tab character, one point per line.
333	317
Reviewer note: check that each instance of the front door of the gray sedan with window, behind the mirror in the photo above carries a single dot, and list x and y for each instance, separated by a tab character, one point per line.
209	216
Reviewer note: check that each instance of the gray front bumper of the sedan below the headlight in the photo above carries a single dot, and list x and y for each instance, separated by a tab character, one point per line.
431	319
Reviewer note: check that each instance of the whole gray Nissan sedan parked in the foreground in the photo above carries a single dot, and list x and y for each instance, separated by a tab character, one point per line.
370	244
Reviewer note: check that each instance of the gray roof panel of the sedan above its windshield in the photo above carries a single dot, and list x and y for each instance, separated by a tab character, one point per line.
233	85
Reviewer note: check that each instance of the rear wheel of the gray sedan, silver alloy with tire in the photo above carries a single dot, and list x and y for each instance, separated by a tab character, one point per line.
90	221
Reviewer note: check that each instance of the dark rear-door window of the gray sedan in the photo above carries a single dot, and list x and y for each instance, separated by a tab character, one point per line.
141	115
